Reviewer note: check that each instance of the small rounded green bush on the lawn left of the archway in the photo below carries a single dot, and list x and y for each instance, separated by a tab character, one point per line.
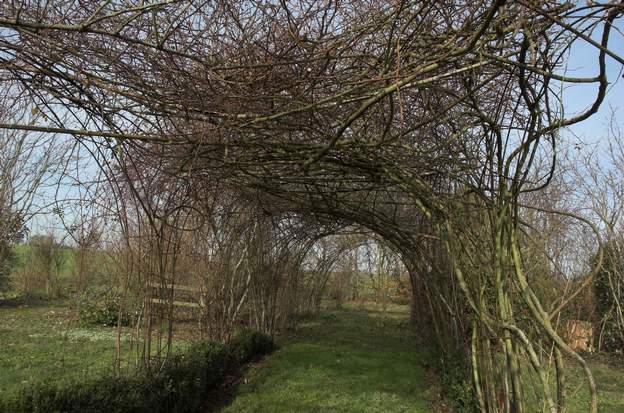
101	307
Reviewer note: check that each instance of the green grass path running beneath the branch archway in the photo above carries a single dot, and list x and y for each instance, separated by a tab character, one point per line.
352	360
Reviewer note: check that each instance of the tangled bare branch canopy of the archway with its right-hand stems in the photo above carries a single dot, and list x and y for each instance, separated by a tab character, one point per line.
432	124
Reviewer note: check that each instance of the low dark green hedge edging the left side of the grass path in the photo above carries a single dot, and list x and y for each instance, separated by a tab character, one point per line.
178	387
